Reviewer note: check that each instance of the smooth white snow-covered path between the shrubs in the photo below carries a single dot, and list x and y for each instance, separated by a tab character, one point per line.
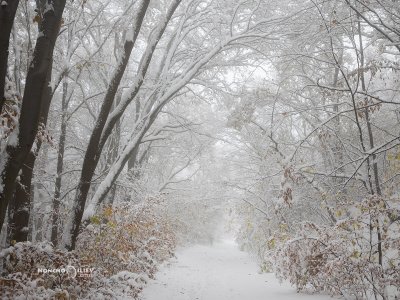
218	272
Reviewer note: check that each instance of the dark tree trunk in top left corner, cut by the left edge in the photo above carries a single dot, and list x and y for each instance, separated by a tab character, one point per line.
7	15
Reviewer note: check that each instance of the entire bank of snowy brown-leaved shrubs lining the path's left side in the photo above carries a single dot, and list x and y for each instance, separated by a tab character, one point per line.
123	246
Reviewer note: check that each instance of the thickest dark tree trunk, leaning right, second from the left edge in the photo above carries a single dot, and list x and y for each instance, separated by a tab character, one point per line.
32	102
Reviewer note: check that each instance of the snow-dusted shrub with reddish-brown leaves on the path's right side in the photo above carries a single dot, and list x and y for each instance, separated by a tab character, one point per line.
357	258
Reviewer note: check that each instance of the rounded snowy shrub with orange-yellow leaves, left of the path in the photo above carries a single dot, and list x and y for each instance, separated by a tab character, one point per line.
126	237
